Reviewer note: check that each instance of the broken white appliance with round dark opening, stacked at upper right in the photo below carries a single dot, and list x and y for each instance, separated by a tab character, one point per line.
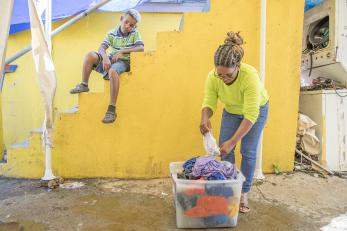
325	42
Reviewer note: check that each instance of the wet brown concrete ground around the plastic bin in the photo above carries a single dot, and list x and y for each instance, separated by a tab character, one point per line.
287	202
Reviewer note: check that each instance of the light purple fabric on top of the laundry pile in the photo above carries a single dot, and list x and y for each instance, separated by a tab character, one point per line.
207	165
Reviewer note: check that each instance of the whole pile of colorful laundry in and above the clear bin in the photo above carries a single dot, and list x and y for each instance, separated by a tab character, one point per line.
214	203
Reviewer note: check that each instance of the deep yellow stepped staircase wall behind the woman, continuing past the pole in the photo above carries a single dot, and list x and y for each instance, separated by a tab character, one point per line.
160	100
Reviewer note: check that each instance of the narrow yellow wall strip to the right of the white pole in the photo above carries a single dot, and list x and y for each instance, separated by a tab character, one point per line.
284	36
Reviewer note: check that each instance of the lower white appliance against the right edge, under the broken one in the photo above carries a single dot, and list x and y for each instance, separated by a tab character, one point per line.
329	111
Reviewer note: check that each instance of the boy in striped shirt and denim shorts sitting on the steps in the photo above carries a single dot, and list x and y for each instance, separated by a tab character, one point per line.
123	40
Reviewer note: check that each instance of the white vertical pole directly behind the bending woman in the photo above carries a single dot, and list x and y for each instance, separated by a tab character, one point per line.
258	173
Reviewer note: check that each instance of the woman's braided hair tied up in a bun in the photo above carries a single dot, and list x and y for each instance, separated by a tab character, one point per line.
230	53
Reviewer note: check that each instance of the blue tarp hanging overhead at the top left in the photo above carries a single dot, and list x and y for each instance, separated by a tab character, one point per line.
62	9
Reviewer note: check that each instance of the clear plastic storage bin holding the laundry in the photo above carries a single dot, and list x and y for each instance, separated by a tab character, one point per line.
205	204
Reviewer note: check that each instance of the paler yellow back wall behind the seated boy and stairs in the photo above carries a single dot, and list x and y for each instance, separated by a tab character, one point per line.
22	105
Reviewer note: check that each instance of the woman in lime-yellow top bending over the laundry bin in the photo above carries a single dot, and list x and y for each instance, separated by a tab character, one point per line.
238	86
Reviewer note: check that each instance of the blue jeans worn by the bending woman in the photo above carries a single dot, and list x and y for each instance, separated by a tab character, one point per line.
249	143
